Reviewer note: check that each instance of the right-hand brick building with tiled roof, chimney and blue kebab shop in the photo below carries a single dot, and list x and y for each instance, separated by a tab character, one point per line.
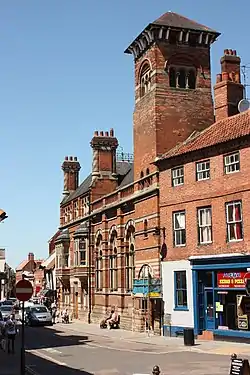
205	206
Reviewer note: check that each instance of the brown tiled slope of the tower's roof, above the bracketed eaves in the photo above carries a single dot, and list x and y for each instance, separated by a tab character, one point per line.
176	20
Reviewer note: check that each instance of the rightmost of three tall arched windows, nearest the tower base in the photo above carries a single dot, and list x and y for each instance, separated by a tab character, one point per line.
130	260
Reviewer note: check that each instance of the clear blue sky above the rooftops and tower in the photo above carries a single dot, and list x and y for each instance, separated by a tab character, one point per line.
63	75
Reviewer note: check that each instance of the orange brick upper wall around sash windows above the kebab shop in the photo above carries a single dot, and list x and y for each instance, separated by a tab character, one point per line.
215	192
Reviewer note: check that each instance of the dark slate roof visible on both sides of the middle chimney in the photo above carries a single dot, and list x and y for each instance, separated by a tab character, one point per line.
125	177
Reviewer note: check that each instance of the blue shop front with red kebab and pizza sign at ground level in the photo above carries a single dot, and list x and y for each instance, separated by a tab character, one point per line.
218	285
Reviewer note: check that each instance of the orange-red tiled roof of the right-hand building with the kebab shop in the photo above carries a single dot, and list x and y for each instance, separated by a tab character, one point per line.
220	132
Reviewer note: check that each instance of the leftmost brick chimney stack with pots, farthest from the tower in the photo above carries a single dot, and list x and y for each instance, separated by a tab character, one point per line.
71	168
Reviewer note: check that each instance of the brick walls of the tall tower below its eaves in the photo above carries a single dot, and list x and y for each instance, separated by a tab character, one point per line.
166	116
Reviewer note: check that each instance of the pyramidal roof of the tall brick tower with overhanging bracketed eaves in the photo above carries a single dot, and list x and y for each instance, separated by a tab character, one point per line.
163	29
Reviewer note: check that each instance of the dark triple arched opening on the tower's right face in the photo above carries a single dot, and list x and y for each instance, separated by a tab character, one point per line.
182	77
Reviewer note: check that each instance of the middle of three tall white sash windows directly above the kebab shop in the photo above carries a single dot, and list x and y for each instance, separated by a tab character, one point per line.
205	225
